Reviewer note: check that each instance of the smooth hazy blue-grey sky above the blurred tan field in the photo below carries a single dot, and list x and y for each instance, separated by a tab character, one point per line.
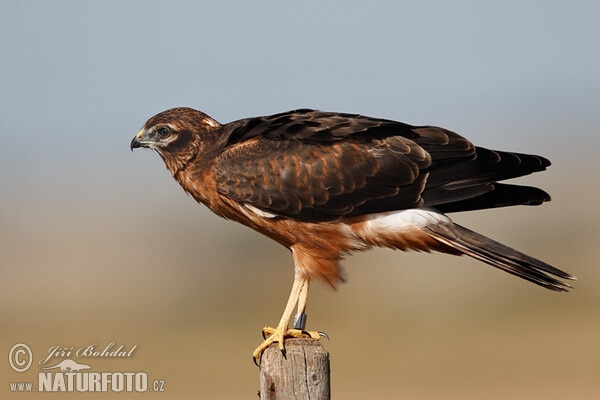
78	79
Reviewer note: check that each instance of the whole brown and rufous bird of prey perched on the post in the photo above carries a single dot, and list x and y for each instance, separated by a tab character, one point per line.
326	184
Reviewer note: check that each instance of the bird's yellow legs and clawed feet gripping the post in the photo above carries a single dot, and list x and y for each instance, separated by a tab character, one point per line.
298	295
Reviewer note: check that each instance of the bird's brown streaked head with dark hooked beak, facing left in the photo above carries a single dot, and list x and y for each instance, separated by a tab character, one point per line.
178	135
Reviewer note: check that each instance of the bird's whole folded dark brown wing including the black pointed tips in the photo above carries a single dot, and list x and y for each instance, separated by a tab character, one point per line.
317	166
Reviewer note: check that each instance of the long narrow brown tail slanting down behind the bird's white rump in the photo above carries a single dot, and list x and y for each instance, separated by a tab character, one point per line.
498	255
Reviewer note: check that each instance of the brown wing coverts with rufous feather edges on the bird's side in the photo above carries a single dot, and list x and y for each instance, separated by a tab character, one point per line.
309	181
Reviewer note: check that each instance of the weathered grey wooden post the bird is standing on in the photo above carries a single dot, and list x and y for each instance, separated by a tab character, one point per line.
303	374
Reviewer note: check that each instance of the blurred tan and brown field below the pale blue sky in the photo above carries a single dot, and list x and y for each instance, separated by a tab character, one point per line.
192	292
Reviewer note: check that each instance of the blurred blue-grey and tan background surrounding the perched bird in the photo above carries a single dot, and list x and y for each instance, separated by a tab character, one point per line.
100	245
